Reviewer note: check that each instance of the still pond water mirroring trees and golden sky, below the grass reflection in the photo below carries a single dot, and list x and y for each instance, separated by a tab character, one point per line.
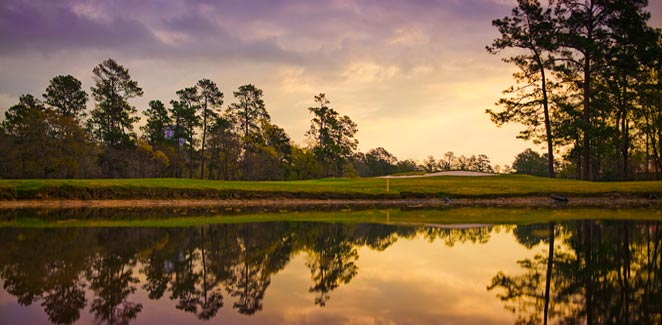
584	271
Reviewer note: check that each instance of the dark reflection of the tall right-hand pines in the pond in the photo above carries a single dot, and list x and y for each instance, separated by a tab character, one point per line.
603	272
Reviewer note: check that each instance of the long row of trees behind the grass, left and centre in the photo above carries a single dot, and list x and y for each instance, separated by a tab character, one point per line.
192	136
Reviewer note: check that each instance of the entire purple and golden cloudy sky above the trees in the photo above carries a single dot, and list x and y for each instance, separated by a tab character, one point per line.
414	75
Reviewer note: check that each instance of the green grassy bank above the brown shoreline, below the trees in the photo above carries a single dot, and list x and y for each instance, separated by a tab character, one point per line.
363	188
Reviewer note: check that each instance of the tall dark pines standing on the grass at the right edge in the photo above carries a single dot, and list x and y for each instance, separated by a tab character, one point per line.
588	85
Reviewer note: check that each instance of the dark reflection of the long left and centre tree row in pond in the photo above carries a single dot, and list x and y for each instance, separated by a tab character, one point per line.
191	266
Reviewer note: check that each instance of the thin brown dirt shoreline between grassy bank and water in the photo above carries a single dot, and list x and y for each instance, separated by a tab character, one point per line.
515	201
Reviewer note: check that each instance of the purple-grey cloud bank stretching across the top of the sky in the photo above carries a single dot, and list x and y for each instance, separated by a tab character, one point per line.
329	33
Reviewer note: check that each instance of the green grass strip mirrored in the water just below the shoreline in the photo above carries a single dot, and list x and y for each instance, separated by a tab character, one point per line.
390	216
